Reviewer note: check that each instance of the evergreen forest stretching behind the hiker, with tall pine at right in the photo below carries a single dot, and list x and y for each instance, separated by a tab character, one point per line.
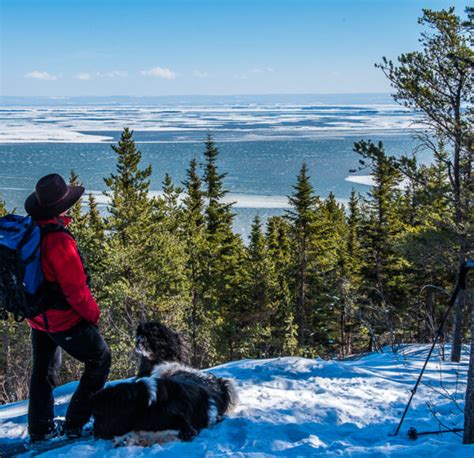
324	279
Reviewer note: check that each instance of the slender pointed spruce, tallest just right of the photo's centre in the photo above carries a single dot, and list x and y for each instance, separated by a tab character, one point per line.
302	216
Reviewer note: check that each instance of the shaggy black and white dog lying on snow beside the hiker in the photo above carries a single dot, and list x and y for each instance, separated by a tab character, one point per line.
174	400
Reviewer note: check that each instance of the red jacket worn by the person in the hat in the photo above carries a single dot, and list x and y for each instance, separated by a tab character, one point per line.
62	264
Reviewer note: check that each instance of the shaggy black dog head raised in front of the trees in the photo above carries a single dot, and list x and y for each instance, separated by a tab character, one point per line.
158	343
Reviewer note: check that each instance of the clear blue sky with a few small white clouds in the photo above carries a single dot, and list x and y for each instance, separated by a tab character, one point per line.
211	47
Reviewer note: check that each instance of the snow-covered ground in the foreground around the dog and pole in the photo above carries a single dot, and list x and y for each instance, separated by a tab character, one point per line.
310	407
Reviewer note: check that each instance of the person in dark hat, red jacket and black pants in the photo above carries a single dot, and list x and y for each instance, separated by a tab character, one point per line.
70	316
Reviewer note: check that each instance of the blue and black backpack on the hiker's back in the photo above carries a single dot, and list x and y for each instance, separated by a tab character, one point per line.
21	277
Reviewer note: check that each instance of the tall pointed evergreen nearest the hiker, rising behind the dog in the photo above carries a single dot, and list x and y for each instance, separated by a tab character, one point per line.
129	281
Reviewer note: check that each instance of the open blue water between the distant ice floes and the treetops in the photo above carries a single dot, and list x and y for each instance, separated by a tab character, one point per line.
261	168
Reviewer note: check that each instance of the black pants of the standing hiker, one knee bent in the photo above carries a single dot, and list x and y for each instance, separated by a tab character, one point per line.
84	343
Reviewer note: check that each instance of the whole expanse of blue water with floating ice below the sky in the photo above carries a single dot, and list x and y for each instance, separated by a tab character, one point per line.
263	141
